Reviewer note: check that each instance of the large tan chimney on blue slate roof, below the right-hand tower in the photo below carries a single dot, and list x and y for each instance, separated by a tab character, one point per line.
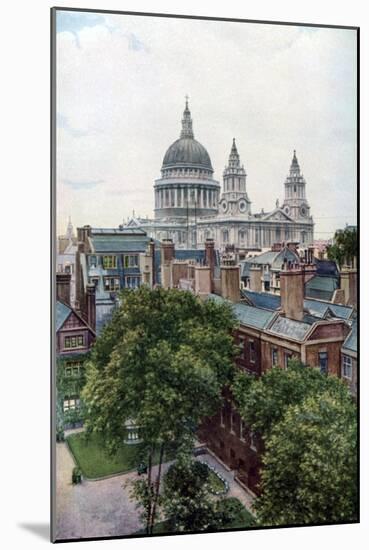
292	291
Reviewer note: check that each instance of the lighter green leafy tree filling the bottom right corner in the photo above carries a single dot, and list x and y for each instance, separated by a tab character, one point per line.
309	465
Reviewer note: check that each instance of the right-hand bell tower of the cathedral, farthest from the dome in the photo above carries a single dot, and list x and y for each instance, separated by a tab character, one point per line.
295	204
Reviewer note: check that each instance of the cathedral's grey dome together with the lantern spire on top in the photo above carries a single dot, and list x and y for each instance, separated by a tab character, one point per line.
186	151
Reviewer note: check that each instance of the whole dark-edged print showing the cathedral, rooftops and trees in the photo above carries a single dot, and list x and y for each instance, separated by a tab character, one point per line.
205	274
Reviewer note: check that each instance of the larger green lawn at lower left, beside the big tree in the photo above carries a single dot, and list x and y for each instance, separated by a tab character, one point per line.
96	462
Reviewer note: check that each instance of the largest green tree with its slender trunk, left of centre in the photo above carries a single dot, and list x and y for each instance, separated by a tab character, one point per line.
162	362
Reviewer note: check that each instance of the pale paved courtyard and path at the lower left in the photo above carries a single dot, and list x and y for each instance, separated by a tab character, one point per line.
103	508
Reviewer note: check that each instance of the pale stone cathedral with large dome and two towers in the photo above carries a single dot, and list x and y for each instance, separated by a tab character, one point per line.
190	207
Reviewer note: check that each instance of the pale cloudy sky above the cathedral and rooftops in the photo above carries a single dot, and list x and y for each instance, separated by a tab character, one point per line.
121	85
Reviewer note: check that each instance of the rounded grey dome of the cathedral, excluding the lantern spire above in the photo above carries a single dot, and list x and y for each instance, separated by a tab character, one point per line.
187	152
